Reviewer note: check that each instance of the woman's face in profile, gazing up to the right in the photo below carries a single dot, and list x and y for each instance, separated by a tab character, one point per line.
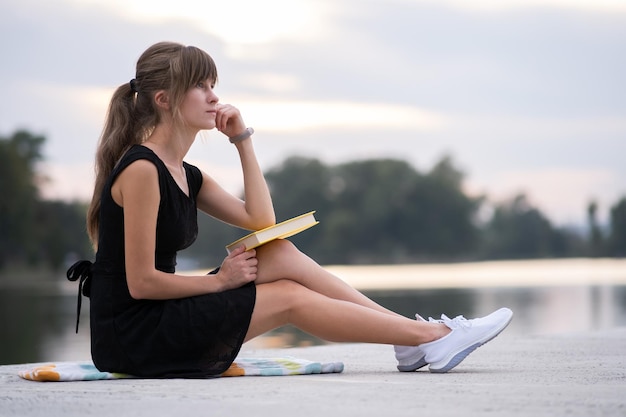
199	106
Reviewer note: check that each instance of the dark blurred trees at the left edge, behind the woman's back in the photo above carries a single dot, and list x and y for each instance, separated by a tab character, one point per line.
34	232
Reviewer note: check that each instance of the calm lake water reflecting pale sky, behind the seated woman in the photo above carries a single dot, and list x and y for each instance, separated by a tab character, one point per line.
548	296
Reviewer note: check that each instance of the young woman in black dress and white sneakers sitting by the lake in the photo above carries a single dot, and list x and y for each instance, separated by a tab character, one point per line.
148	321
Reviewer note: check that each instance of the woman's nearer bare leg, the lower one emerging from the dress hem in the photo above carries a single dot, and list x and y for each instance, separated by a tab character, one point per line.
287	302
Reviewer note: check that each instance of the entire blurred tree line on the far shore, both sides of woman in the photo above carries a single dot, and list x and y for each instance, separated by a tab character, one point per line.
372	211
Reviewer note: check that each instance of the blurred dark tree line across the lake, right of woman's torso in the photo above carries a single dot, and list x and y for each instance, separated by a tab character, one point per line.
385	211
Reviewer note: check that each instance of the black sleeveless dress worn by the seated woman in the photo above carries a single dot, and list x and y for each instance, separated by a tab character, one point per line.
188	337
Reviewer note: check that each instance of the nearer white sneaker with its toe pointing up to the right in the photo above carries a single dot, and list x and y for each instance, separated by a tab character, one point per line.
466	336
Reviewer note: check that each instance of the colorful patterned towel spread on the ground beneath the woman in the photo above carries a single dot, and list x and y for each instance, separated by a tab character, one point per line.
86	371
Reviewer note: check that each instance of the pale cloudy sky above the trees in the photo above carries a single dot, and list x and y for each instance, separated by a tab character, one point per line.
526	96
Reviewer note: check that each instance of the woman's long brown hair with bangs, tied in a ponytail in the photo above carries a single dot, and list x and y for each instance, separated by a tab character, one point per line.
133	115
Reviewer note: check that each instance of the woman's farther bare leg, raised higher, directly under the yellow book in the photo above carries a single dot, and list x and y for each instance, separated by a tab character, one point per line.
280	259
